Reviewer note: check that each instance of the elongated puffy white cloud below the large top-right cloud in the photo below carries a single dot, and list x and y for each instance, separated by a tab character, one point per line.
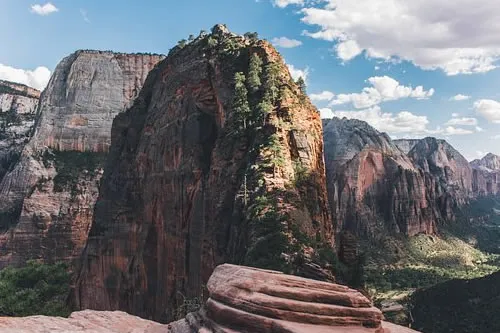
383	89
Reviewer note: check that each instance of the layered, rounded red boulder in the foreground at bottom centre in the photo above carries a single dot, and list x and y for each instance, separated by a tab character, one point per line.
244	299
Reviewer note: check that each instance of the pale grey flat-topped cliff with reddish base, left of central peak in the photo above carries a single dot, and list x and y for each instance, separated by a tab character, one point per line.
47	197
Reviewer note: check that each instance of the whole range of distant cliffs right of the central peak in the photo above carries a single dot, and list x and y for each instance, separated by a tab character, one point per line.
403	186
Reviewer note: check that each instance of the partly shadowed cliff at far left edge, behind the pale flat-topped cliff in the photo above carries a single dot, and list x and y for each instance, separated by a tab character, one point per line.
18	104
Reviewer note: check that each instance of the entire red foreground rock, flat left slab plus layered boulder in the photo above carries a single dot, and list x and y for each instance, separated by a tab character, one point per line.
241	299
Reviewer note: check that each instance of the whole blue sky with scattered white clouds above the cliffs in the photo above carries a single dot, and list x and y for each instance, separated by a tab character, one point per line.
412	69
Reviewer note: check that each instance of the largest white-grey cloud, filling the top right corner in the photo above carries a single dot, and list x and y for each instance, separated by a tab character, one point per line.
457	36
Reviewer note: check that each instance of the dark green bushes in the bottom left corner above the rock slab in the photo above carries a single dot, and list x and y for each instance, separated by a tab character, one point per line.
36	289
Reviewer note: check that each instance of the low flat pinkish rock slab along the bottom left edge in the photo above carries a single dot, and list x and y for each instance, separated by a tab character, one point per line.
83	321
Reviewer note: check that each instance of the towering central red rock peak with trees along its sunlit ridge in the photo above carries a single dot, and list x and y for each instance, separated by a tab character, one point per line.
206	167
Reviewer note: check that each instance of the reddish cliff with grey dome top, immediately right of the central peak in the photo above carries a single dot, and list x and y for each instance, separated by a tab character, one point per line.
374	187
